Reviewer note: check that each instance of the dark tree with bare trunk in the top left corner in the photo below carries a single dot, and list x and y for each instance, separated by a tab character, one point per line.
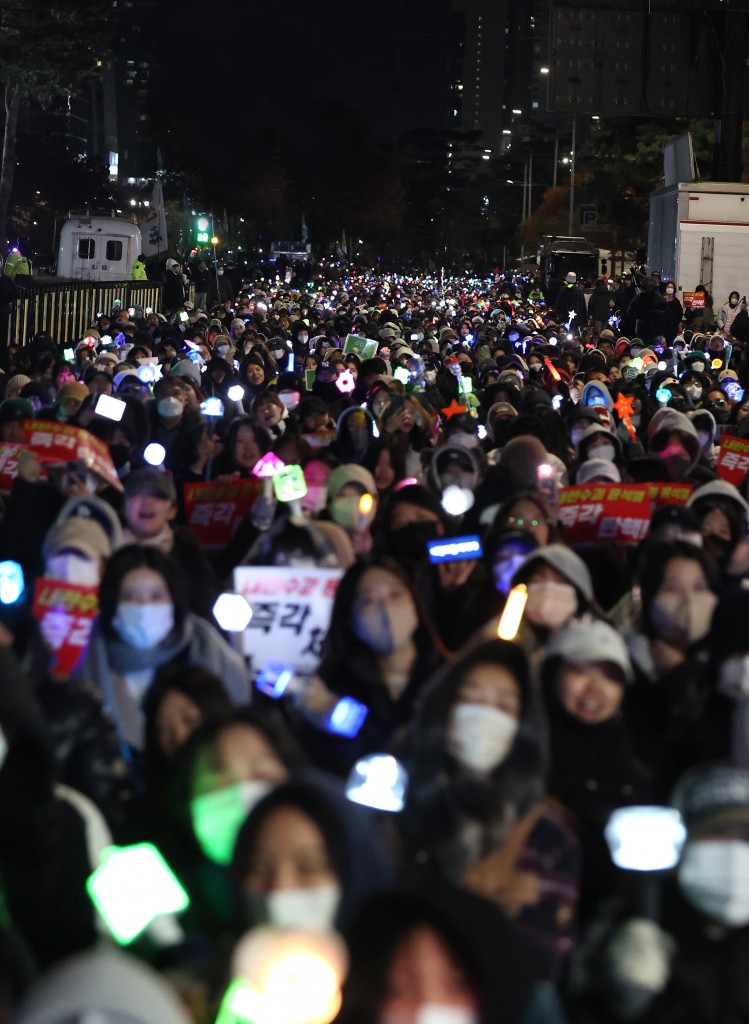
47	50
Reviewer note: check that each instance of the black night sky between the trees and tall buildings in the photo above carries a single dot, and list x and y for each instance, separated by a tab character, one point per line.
277	64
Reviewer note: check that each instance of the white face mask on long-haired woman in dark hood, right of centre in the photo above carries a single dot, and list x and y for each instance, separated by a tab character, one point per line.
480	738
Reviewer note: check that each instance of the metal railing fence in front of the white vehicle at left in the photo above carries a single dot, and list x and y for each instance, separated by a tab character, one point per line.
65	310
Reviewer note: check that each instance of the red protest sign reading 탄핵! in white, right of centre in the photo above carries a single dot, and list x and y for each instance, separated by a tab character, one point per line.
605	514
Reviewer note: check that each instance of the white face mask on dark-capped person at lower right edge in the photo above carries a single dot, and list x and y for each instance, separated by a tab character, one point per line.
714	877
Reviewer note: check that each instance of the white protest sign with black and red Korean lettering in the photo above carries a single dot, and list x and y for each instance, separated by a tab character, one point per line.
292	611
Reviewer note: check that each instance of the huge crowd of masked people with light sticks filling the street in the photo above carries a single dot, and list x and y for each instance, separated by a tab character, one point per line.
425	419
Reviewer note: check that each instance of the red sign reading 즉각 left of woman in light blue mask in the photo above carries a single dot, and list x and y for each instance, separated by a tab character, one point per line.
66	614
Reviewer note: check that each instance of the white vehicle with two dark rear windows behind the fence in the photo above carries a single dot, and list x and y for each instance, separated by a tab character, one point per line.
98	248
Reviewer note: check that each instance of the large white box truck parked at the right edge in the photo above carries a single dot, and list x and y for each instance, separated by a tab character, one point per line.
699	235
